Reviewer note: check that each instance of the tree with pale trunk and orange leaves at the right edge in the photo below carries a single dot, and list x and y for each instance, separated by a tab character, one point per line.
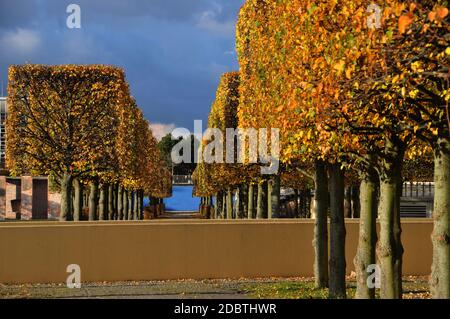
416	51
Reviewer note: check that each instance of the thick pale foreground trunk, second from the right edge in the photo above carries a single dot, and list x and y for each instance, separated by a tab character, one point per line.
390	249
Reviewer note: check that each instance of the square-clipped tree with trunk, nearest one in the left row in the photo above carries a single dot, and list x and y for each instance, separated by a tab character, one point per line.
61	121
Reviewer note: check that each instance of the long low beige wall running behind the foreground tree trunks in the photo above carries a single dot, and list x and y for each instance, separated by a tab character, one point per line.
157	250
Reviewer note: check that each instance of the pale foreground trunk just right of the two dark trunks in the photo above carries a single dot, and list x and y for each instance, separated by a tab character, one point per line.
365	254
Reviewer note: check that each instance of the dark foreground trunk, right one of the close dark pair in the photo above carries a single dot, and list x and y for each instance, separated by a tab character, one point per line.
337	233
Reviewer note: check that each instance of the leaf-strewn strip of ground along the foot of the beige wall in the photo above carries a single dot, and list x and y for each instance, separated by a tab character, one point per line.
289	288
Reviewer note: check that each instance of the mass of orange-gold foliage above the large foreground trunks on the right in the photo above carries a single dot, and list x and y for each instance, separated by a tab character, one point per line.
311	67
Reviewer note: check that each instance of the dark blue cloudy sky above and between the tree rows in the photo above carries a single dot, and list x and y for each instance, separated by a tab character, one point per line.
173	51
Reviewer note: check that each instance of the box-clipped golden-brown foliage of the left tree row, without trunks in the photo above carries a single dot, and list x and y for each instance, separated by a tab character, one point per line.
87	134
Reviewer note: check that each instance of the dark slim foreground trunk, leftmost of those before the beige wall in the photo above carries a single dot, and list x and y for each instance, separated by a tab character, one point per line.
320	241
